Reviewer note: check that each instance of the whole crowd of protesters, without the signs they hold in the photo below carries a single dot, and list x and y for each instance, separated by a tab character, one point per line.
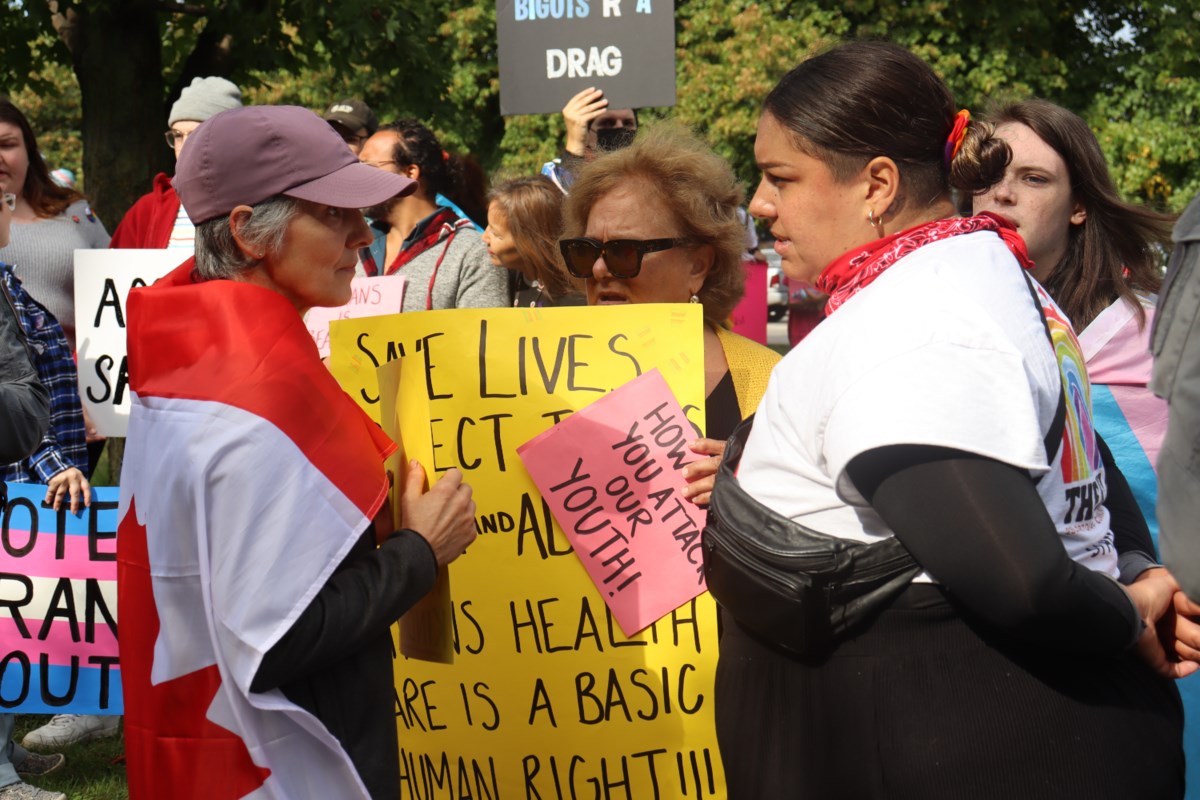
980	314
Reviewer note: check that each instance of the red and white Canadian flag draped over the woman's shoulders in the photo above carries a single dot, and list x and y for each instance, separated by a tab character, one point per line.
249	476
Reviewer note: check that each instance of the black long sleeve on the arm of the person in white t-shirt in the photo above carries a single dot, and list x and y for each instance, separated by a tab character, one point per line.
980	528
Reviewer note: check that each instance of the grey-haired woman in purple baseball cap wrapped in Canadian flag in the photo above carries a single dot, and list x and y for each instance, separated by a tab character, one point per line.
259	574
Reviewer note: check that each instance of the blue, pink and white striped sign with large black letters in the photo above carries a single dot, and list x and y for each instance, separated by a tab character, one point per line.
58	606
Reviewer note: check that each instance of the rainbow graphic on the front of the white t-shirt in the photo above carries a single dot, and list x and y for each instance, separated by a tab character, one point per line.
1081	454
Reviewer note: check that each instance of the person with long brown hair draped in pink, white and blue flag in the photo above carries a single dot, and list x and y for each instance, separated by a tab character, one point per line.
1101	258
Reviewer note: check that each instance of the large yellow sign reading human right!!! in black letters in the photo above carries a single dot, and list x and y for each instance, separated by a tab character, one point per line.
547	697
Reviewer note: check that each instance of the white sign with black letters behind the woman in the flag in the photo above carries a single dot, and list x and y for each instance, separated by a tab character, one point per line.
103	284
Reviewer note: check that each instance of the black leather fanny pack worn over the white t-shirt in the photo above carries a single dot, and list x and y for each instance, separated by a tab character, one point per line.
790	585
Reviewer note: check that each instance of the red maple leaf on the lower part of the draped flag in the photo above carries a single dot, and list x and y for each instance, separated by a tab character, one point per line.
173	749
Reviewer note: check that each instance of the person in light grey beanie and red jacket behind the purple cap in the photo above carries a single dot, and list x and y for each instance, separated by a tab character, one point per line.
158	221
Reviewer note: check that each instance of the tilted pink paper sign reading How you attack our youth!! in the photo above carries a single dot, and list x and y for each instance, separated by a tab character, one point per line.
613	477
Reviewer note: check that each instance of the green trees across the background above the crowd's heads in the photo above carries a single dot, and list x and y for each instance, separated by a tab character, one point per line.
1131	70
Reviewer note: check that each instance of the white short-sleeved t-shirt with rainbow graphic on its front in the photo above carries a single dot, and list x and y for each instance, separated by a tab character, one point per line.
945	348
